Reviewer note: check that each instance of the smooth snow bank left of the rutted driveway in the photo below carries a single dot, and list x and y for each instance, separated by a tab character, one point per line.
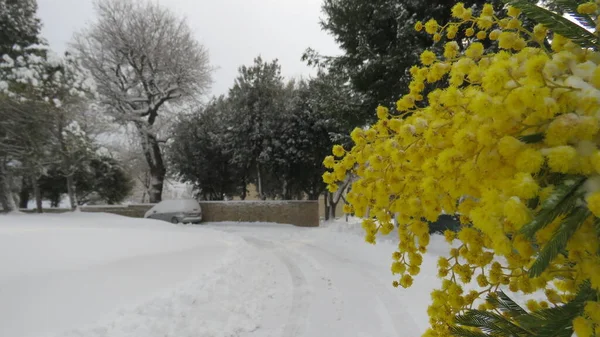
95	274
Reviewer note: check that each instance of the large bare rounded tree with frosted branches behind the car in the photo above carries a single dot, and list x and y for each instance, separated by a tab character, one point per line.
143	58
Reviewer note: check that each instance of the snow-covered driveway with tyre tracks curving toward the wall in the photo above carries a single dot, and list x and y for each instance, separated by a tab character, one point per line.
334	291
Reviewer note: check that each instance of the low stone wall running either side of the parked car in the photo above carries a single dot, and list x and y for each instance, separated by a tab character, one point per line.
298	213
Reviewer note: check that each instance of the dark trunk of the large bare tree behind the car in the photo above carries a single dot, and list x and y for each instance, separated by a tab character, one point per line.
154	158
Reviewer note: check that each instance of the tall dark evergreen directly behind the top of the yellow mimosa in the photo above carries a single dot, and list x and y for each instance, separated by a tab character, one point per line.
380	44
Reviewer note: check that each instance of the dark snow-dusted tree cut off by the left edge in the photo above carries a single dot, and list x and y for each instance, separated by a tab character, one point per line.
24	77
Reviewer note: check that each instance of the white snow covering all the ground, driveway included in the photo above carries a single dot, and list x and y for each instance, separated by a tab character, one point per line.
89	274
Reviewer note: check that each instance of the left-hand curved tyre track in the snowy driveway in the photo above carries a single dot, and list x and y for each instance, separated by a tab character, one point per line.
296	323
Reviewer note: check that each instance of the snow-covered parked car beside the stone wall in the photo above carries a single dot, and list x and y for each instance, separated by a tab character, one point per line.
176	211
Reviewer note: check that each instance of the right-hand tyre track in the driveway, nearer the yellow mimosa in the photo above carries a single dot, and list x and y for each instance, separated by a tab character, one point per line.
394	309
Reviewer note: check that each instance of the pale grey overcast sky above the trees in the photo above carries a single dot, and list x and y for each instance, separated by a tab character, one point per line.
234	31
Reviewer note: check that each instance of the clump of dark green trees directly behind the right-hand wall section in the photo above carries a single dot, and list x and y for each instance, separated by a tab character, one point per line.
266	131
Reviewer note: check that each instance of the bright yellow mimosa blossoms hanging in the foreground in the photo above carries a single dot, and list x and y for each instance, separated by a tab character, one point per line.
504	134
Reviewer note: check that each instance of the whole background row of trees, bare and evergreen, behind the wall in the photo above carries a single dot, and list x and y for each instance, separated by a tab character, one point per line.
138	68
